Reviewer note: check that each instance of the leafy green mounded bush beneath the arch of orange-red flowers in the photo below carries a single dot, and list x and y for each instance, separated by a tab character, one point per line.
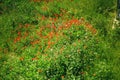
79	60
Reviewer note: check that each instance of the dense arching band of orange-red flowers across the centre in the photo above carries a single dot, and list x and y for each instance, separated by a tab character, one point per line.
56	31
